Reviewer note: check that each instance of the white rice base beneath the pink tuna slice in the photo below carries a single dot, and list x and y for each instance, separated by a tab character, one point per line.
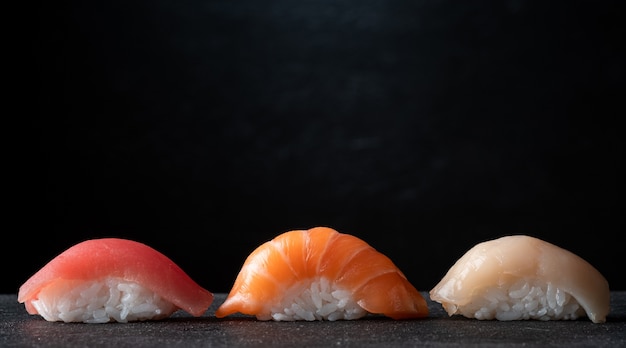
101	301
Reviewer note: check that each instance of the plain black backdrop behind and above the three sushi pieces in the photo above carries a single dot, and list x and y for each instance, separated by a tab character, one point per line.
205	128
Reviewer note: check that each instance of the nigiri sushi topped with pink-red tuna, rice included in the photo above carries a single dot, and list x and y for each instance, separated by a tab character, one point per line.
111	280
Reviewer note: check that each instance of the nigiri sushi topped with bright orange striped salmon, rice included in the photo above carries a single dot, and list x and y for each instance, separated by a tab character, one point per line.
321	274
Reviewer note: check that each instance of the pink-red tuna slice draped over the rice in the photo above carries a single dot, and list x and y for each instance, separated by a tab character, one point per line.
113	257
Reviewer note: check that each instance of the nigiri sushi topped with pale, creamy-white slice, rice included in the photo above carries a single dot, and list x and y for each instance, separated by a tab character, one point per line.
520	277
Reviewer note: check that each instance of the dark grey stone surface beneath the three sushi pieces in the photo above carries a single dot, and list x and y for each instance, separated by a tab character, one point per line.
19	329
